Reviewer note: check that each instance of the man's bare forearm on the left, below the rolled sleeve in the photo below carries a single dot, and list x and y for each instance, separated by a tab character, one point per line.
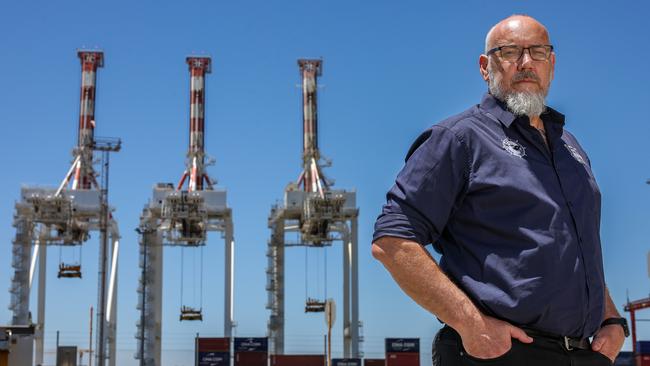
420	277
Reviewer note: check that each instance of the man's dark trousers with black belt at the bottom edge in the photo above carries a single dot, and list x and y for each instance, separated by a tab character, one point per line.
448	351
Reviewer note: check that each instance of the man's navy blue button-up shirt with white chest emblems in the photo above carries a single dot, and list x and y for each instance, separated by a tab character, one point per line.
517	223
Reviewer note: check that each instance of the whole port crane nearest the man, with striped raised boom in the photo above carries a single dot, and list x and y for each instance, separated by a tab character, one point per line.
320	215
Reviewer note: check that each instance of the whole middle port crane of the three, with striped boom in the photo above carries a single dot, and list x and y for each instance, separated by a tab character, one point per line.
182	216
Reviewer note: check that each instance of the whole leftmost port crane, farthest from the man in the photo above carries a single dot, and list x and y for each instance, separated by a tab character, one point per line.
64	217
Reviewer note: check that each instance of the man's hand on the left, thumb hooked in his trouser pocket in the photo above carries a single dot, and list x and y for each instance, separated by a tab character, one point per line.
490	337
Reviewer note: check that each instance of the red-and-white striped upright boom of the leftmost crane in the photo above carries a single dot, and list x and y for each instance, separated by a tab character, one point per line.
84	174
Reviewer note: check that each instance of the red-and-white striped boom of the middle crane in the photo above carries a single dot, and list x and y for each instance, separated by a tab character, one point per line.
199	66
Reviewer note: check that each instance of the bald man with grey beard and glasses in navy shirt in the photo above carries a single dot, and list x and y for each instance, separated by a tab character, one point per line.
507	196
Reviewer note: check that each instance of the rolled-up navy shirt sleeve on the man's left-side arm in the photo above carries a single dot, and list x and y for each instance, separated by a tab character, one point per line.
427	189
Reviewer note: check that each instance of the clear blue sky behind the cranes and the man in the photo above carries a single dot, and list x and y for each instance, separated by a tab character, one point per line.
391	69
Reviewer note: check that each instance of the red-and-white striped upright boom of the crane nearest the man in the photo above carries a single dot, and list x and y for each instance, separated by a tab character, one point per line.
311	175
